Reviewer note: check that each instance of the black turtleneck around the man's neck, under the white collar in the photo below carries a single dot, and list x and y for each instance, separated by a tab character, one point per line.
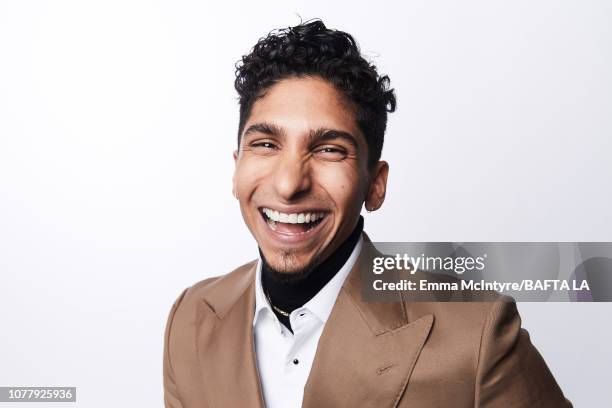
290	294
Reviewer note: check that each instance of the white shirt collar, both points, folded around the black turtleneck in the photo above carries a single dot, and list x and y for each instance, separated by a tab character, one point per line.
322	303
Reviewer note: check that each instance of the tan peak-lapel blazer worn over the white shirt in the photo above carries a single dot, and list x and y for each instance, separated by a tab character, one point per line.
370	354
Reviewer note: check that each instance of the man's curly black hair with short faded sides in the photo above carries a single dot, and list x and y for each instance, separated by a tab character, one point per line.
311	49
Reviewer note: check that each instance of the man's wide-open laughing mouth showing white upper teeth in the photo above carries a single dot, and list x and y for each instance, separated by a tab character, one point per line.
293	224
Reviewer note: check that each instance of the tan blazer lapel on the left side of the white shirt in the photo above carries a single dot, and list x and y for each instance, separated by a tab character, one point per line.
225	342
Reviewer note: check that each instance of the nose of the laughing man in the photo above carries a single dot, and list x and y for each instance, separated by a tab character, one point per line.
292	177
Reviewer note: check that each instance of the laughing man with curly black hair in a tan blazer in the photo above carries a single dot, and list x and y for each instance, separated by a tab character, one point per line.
291	328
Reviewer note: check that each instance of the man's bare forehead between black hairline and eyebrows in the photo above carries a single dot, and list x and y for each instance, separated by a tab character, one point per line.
299	105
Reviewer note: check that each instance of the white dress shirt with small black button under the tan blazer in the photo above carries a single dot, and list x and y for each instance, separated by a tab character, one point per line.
284	359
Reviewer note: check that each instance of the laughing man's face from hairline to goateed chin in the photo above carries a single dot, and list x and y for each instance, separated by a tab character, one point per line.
301	173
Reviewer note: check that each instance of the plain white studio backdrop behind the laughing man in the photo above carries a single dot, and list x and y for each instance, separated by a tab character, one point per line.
117	123
